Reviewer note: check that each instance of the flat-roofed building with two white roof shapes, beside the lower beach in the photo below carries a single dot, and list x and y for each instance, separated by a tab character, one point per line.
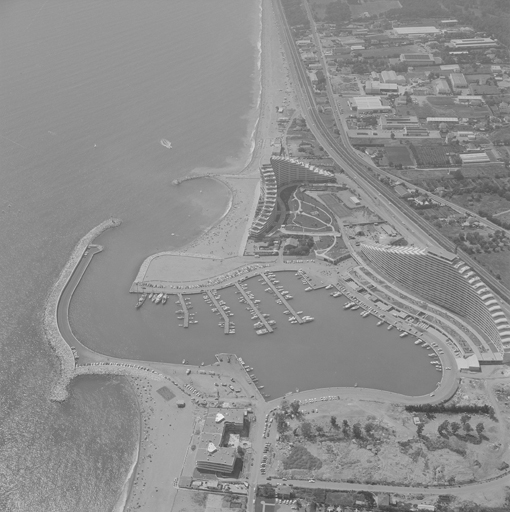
214	452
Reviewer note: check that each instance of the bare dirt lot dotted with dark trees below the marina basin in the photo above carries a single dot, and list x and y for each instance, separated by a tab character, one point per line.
373	442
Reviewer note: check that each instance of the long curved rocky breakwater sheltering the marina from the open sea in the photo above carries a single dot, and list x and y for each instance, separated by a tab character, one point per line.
59	391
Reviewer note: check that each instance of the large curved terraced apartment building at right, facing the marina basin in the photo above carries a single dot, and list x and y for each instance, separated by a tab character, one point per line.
444	279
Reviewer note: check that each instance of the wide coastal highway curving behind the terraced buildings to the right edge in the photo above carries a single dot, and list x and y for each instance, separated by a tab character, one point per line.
346	157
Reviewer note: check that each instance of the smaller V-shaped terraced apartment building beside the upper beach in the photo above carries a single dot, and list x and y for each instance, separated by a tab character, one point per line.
280	172
